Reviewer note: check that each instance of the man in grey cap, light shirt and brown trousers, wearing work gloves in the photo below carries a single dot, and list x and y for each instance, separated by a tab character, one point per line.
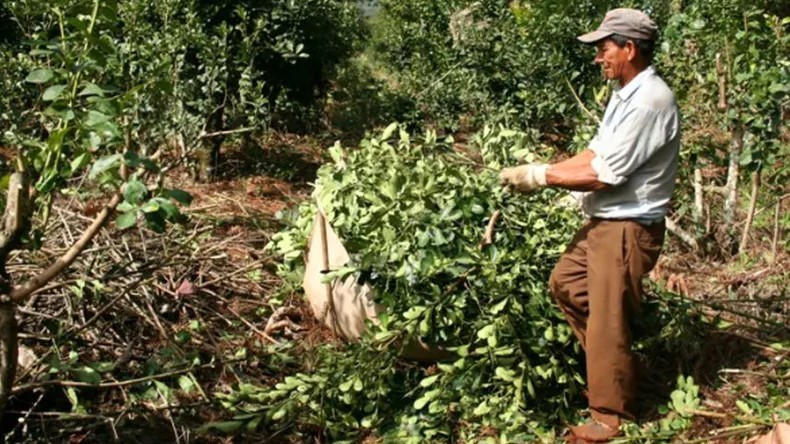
628	175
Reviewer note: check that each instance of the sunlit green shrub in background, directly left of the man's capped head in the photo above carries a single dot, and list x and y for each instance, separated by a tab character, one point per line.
469	62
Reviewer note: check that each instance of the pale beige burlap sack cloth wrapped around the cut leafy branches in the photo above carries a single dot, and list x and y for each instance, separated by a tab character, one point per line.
352	302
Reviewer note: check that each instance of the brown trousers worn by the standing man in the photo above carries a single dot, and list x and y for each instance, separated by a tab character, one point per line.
598	285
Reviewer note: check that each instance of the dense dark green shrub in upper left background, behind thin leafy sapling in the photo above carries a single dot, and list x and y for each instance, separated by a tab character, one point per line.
197	66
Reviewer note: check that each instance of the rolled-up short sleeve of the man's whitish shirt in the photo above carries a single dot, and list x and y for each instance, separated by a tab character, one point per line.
638	136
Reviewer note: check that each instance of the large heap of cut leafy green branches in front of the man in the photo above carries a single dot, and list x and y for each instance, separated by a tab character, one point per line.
412	214
